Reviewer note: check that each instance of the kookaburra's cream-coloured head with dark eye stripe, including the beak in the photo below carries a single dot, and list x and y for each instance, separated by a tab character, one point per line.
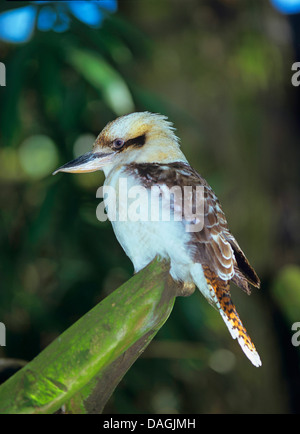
141	137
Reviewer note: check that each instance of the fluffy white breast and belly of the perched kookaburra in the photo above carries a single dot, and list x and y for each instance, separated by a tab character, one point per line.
142	238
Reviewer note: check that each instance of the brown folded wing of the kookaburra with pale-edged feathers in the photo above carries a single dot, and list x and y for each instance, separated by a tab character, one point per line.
214	245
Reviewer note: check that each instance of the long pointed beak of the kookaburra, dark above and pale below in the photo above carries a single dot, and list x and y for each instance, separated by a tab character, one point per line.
89	162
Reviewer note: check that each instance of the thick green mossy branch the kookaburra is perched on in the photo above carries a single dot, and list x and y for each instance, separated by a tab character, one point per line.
82	367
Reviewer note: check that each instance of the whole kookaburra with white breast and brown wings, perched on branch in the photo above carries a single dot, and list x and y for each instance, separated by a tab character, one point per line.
143	149
